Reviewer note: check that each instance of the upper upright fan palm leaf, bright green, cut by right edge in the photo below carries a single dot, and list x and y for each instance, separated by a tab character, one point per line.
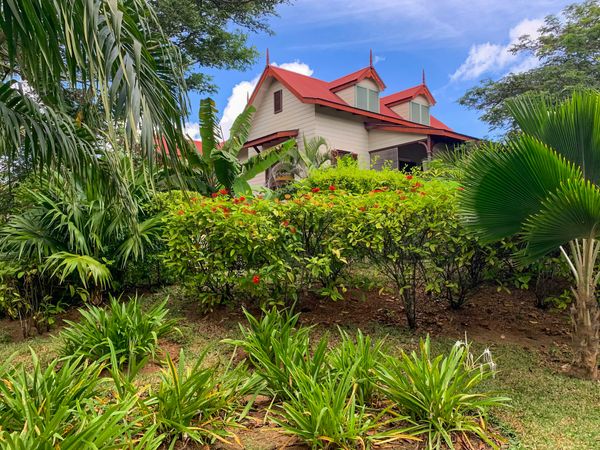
571	127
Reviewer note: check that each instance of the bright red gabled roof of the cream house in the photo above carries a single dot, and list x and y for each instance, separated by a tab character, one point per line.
314	91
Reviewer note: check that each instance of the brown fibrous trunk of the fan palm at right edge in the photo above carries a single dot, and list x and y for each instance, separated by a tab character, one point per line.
585	312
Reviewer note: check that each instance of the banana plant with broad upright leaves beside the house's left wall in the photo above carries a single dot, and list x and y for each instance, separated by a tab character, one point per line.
219	165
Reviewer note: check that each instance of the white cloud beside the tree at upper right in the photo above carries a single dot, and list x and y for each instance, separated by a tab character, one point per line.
488	58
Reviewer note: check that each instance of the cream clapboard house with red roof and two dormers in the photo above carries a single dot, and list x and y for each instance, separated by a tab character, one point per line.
352	113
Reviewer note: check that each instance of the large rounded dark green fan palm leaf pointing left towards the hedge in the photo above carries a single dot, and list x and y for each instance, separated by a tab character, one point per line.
503	189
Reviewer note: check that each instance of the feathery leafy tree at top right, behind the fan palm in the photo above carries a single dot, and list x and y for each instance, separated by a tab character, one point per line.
568	49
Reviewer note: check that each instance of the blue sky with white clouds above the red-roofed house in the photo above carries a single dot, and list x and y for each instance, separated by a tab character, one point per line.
457	42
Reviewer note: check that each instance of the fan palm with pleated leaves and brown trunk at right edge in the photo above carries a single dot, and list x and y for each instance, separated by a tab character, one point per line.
544	188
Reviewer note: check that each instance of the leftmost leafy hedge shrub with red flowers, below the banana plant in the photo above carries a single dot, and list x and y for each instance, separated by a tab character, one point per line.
229	248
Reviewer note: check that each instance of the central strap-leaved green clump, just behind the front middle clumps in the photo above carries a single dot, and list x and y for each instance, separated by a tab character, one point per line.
274	344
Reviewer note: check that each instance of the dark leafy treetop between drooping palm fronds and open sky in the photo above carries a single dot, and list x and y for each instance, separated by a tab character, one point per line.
213	33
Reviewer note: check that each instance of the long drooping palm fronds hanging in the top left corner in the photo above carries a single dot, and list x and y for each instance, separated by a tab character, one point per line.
78	72
